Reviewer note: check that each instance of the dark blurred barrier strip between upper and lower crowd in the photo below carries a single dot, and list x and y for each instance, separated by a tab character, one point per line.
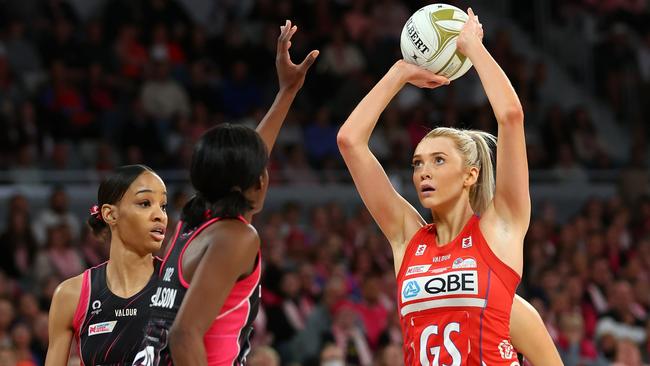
322	187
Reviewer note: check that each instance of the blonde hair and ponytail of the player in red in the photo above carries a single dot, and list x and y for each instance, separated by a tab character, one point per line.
476	149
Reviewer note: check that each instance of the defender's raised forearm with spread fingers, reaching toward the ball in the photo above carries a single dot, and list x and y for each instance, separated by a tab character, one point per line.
291	78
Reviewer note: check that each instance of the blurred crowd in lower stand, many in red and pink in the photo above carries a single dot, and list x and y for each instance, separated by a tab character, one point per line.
329	285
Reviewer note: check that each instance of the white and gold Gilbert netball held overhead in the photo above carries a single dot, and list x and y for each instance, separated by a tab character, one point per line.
429	40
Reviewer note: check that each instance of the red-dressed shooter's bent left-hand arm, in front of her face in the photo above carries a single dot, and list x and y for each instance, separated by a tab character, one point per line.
397	219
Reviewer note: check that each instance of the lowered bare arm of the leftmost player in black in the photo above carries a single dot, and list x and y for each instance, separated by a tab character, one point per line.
64	304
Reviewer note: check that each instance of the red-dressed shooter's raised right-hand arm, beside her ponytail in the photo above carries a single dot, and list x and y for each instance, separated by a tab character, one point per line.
512	199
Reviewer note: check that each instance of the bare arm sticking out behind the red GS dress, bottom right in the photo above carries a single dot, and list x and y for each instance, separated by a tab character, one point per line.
529	335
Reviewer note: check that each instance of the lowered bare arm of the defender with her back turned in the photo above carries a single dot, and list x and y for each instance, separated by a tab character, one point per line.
234	247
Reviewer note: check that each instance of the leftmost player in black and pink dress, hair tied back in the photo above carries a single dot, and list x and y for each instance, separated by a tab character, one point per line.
106	308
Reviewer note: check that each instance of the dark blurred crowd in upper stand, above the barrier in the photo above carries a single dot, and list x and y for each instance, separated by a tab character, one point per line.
139	81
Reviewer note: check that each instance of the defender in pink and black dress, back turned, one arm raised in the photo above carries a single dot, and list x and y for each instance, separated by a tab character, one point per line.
209	290
